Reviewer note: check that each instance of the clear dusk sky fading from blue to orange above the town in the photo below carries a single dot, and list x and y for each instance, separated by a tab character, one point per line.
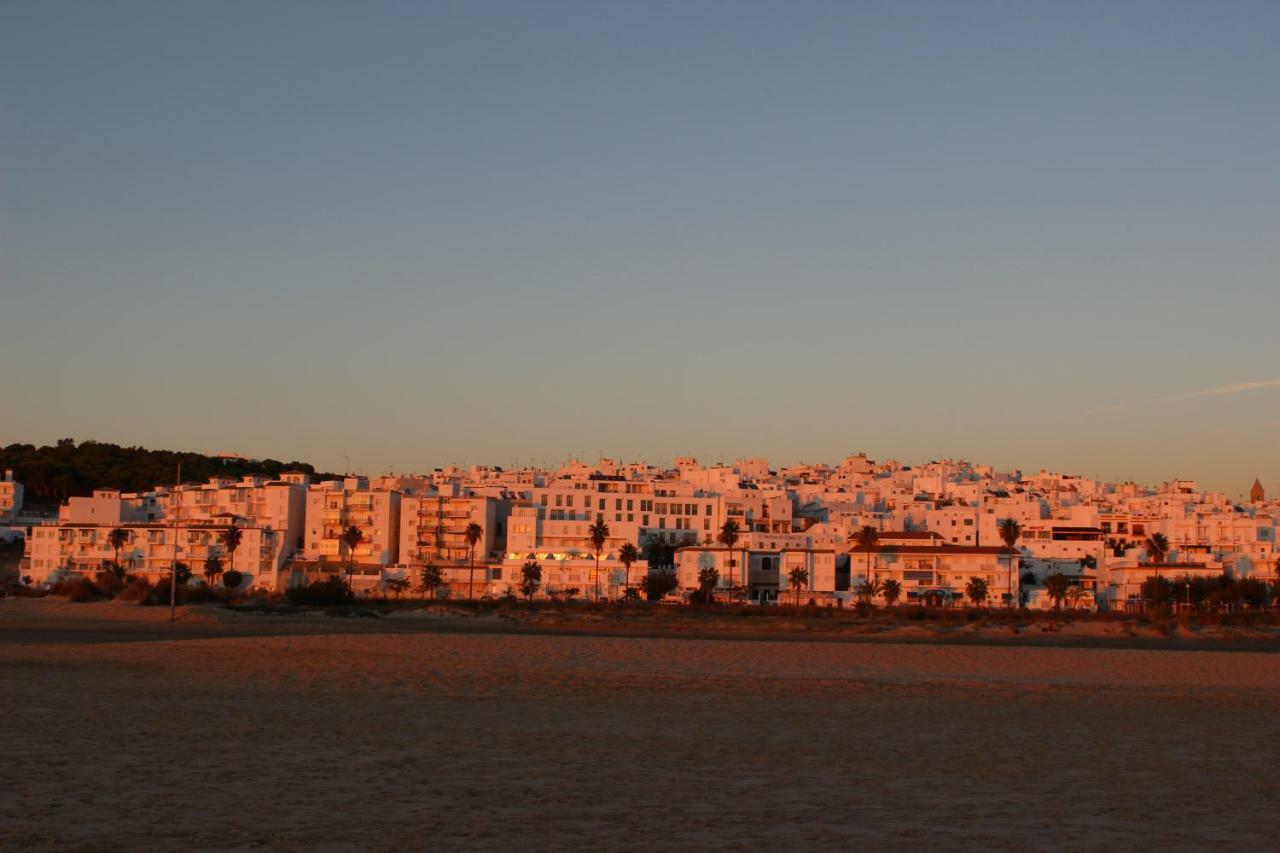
387	236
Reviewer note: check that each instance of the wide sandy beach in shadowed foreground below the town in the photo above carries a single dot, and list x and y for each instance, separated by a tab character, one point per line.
231	732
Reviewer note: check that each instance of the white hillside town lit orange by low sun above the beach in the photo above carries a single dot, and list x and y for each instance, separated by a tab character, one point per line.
947	533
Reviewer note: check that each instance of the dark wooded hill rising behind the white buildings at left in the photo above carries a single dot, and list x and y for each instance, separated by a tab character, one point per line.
67	469
